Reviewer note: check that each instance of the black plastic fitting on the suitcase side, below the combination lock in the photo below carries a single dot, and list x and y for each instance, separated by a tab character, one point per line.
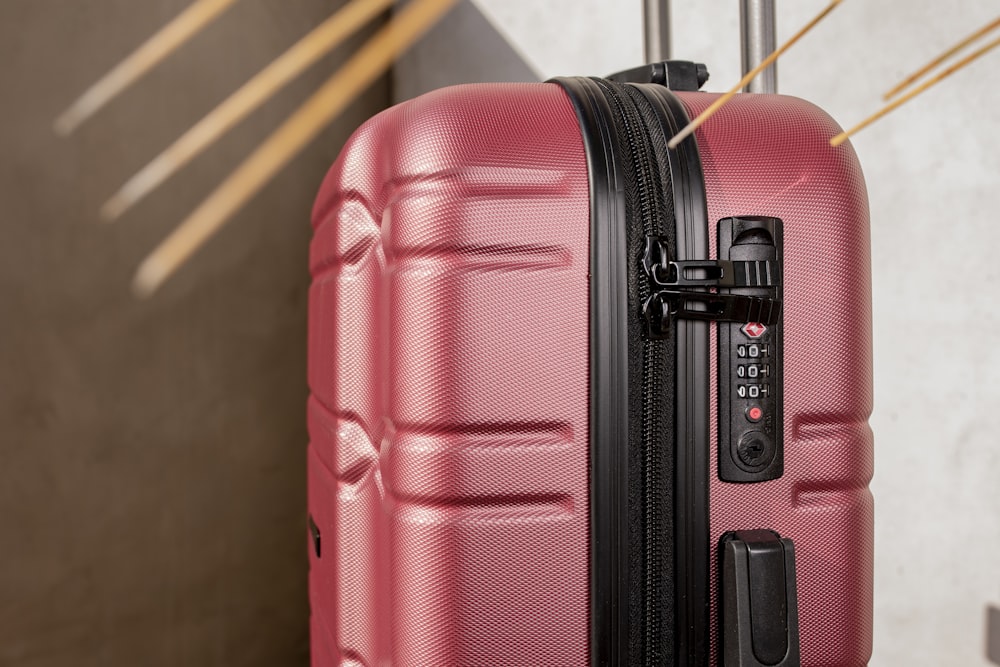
760	618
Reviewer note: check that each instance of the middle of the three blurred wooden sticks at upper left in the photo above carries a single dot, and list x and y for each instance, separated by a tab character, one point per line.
327	36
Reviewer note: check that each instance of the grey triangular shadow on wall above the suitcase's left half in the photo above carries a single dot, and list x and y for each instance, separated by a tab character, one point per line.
463	48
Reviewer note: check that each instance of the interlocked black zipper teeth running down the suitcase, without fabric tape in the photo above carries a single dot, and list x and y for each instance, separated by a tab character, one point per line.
652	378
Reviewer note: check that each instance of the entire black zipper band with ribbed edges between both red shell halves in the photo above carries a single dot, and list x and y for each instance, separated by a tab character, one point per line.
649	402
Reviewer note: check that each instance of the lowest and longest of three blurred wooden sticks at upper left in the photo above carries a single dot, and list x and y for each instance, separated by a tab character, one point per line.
288	140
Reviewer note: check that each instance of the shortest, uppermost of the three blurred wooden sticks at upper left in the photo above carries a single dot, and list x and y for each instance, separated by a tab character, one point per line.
156	49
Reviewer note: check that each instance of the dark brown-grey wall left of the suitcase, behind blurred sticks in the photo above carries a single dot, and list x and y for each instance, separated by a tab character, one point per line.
152	454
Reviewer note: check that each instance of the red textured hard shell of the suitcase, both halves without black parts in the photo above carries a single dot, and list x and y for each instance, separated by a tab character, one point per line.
449	352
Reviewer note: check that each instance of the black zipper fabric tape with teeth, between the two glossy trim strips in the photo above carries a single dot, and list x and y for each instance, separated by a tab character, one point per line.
650	209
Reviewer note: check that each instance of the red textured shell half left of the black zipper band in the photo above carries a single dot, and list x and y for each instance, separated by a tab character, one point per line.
448	365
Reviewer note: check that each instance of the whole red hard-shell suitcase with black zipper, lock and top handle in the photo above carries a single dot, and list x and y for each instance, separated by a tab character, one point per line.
578	399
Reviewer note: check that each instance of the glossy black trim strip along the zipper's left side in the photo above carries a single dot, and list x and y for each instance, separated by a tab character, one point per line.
609	378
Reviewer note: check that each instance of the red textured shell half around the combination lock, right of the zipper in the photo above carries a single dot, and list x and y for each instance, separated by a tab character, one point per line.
768	155
